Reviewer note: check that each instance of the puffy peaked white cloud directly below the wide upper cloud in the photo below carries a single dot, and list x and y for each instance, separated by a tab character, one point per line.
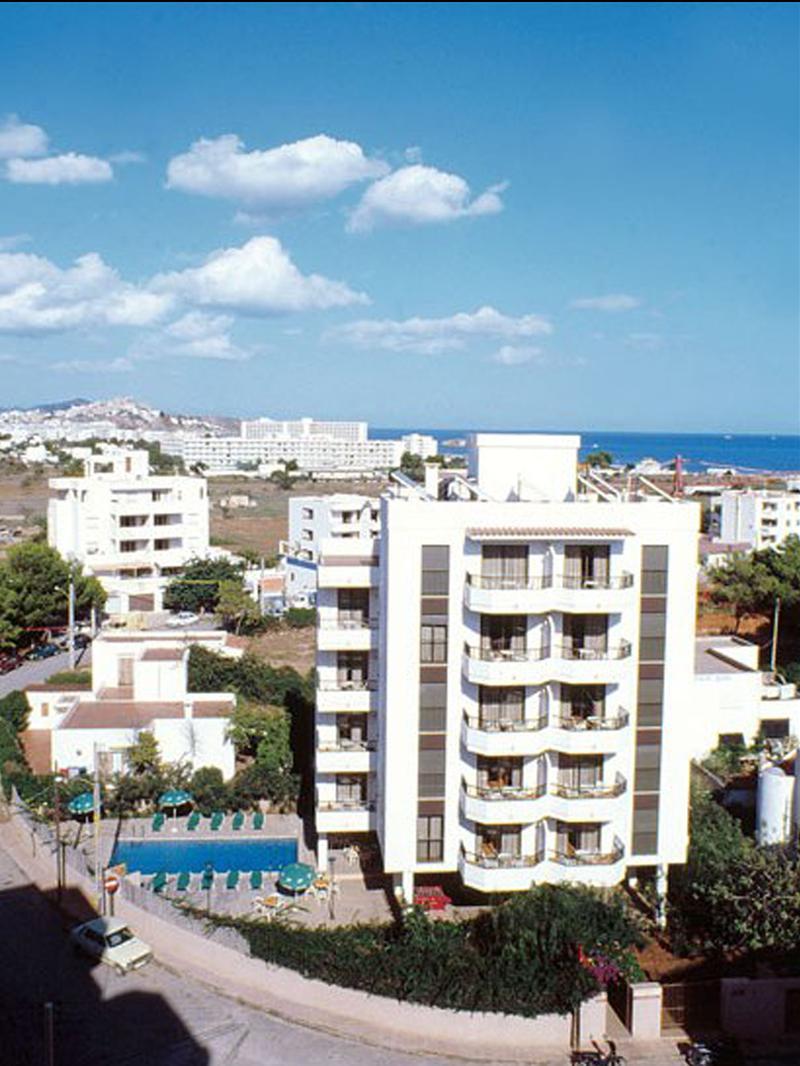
258	279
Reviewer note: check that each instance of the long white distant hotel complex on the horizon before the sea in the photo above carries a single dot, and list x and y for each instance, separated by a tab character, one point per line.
321	449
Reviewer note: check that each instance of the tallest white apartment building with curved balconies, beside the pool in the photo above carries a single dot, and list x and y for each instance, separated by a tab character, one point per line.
506	676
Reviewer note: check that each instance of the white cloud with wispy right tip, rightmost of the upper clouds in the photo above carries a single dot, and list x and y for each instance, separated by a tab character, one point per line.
418	196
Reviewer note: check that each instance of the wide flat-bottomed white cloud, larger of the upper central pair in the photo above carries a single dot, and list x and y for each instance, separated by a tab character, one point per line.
290	176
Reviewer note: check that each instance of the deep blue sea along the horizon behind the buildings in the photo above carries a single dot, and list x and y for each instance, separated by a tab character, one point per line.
749	454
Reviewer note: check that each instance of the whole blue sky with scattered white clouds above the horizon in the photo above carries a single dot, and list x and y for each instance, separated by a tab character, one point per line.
525	216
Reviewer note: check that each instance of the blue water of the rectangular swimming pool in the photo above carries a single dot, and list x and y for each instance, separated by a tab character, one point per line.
173	857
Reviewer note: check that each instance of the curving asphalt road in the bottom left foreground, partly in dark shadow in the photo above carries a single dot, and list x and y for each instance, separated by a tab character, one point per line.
153	1017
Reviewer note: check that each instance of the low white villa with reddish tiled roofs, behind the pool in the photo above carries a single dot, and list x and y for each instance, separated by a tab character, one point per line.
139	684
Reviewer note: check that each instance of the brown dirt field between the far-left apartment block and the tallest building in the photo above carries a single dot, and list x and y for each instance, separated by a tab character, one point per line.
260	528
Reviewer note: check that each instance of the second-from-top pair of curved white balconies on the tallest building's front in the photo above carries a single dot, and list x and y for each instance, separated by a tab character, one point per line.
510	667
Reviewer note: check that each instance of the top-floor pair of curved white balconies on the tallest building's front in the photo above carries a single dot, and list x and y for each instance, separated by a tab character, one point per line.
536	595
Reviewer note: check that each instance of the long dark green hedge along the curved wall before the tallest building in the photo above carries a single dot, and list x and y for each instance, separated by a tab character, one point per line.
523	958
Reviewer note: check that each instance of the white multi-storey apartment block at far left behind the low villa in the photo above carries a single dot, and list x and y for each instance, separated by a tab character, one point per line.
131	529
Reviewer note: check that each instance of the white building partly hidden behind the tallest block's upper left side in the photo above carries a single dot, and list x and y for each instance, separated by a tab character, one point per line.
316	519
